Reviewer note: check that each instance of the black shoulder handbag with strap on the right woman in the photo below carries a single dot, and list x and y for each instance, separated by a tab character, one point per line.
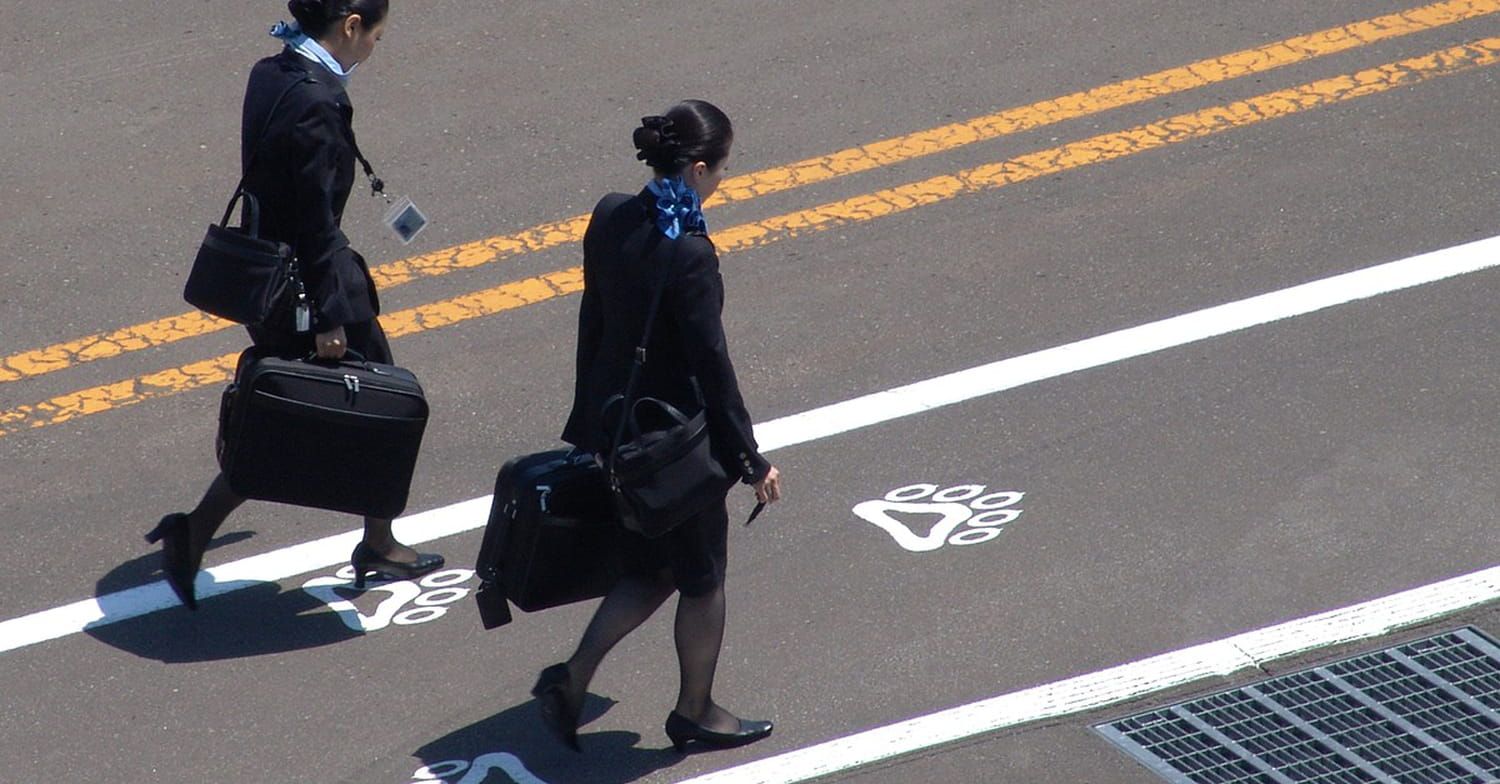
667	473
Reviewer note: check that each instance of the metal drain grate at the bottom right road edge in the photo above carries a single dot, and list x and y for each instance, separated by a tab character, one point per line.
1424	713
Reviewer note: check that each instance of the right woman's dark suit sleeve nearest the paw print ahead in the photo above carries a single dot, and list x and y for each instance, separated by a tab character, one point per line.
697	302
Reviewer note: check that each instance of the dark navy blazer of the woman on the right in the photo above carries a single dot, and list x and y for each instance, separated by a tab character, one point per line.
688	361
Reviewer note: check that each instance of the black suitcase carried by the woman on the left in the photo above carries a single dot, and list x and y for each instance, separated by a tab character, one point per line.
334	435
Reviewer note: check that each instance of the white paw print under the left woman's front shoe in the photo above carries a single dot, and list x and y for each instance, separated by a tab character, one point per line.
428	599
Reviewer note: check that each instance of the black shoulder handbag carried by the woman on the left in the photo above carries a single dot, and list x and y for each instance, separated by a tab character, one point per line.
239	275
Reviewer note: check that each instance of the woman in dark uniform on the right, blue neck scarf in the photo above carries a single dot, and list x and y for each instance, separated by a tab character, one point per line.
631	245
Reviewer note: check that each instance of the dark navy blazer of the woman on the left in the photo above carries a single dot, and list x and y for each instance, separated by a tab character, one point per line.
302	178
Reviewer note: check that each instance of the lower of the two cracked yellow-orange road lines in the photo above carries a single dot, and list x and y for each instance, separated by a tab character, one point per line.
884	203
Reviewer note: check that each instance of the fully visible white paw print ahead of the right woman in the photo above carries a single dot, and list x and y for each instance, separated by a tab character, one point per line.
983	515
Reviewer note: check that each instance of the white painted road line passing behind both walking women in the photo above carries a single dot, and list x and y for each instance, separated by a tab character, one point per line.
811	426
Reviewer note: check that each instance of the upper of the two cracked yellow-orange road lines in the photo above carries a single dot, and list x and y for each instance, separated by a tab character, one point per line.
814	170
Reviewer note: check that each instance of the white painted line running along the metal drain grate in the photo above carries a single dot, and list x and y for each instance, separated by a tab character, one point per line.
1120	684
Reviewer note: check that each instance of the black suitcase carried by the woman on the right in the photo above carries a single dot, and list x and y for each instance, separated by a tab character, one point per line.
551	536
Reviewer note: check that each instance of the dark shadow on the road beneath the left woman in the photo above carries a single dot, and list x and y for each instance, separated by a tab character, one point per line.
250	621
